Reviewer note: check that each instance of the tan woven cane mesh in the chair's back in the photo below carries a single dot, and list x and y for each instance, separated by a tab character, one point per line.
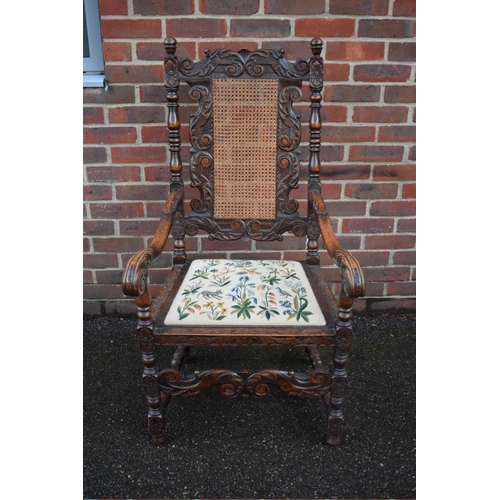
245	124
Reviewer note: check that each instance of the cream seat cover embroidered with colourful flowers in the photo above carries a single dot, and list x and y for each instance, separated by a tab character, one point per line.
236	292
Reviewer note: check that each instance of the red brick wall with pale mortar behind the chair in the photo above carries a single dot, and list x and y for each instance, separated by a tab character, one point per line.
368	154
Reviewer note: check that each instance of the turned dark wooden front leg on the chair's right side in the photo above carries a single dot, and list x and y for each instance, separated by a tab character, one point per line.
335	399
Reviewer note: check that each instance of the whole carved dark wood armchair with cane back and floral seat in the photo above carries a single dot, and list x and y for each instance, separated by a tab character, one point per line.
244	161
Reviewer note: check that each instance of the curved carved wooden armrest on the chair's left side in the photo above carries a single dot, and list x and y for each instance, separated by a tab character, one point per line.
135	276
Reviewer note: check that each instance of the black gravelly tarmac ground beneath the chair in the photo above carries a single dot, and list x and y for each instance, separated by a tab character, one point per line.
248	448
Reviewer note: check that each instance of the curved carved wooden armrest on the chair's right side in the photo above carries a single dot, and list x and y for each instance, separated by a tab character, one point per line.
353	279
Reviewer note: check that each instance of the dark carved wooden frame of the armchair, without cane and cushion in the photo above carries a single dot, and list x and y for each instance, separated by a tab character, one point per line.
329	383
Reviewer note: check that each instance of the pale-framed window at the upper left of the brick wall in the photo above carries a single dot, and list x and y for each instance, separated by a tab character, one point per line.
93	61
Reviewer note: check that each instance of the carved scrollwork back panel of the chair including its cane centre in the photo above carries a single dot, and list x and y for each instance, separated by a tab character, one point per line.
245	140
